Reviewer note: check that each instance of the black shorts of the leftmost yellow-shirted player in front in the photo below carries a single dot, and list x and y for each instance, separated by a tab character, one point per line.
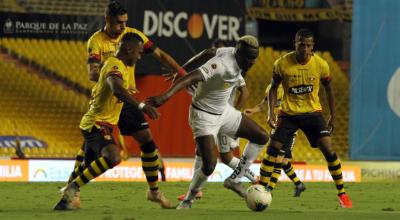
96	140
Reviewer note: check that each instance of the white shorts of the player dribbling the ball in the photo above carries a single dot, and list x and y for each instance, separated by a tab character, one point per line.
204	123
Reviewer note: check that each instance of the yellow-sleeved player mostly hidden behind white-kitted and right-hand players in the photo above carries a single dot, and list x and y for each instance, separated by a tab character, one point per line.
286	163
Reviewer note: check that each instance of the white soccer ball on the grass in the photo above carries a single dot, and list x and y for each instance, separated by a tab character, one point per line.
258	199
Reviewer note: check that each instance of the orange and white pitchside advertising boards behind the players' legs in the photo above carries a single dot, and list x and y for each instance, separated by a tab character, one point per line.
59	171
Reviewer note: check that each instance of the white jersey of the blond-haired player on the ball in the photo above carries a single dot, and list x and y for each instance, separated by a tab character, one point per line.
221	75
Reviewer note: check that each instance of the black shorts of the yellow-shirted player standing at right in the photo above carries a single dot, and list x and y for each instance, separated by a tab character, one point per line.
313	125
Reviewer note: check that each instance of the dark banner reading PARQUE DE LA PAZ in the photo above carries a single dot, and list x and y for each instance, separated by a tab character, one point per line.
45	26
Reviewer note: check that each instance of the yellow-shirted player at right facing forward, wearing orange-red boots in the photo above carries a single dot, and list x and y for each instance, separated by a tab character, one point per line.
301	72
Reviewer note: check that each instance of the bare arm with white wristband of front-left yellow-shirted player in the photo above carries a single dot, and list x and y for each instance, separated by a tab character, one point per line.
122	94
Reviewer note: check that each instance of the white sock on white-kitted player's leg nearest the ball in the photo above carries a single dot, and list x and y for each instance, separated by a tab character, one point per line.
250	153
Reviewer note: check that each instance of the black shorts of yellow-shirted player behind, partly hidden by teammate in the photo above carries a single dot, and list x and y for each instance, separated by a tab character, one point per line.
131	120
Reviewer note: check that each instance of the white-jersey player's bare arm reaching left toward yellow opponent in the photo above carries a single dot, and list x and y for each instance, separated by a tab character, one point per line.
181	83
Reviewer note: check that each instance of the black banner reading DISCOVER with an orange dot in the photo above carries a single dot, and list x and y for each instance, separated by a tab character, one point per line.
184	28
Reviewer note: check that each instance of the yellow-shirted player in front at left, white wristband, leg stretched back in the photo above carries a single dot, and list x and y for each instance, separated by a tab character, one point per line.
108	96
